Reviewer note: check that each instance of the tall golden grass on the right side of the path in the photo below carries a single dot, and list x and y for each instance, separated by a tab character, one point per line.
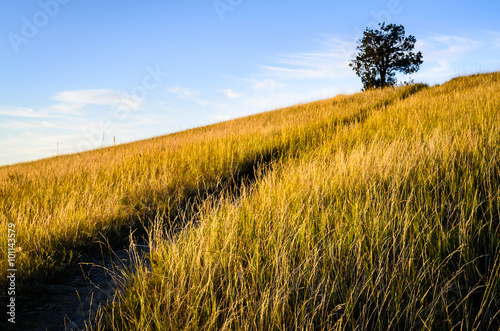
387	223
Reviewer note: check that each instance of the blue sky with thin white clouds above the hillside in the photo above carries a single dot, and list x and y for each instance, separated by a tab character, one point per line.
78	75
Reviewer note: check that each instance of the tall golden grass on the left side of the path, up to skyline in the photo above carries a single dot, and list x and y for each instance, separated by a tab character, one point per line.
61	205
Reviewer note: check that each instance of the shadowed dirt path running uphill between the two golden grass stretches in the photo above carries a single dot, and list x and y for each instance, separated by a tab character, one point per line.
71	301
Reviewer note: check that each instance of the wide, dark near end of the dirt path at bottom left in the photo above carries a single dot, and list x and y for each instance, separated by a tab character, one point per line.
70	302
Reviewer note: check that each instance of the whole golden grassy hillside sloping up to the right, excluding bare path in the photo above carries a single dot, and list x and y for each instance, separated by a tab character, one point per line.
369	211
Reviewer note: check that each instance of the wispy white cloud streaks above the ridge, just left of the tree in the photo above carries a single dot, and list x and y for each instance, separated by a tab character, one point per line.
288	79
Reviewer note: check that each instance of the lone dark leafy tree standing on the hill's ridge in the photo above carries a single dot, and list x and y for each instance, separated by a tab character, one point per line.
383	52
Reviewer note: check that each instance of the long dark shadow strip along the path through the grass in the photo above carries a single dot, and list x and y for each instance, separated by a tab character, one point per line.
66	264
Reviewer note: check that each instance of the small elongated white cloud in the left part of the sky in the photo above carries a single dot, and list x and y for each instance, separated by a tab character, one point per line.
121	100
